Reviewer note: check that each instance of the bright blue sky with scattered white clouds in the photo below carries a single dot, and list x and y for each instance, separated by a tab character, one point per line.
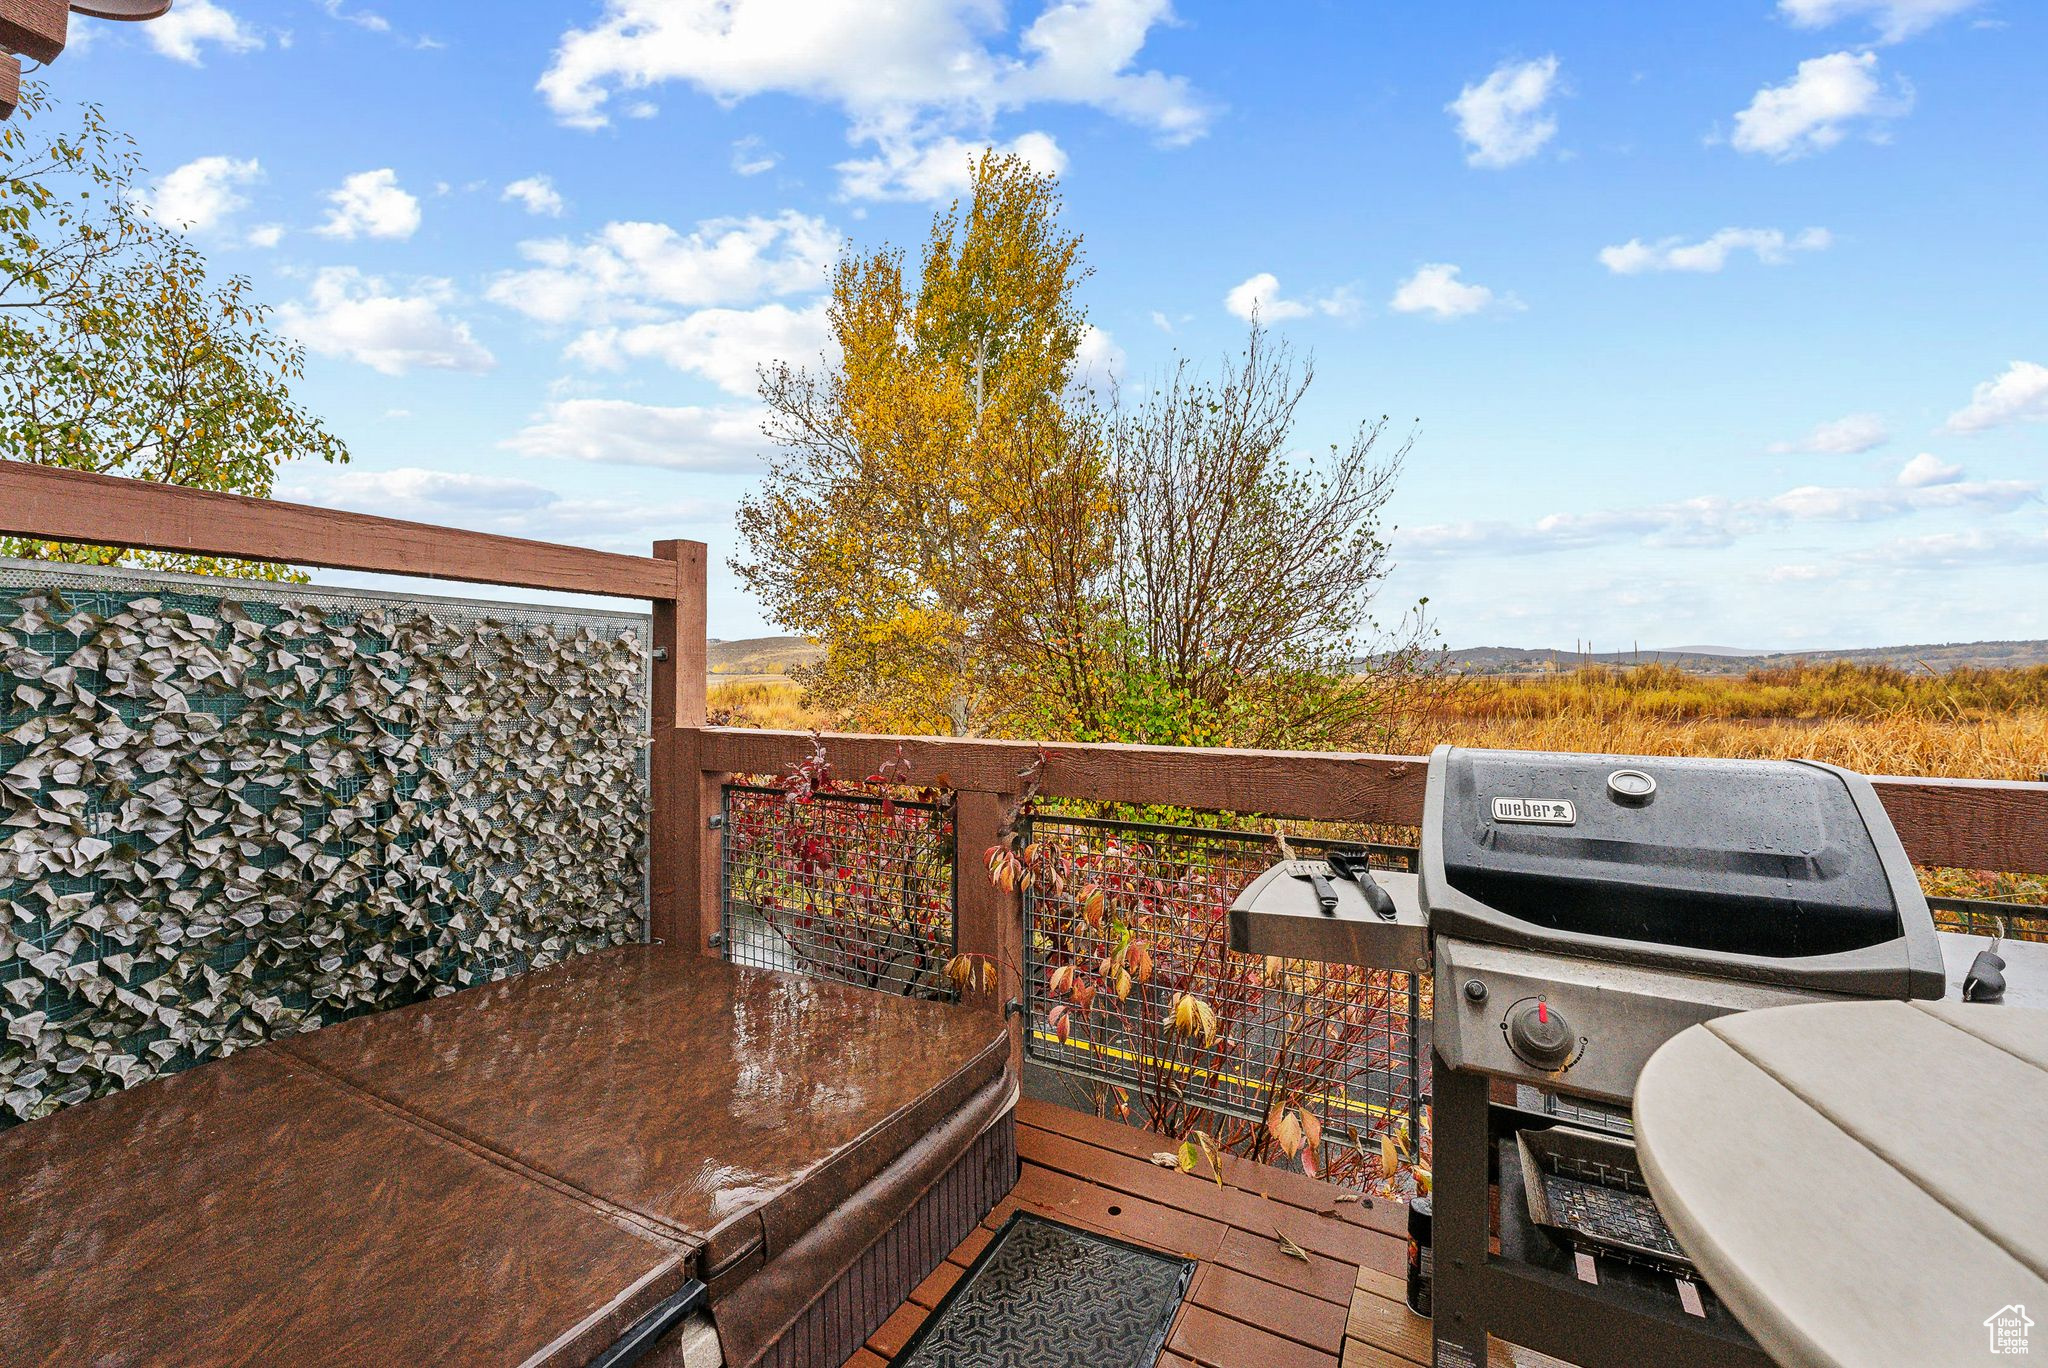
1719	325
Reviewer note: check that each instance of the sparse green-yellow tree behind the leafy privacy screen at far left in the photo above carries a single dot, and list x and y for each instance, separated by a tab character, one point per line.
116	351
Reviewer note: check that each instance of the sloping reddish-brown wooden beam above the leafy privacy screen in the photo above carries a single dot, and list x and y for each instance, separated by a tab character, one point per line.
103	511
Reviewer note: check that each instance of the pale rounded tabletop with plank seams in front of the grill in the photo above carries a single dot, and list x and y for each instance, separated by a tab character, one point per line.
1861	1183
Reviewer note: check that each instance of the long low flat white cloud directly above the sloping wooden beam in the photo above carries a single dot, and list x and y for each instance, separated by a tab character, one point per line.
497	505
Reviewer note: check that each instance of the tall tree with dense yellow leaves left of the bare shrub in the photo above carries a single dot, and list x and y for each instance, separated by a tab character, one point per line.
941	482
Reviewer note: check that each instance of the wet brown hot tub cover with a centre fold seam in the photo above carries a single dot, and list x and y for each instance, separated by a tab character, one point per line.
511	1174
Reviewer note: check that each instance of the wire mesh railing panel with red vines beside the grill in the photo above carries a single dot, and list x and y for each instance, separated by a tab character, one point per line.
1123	921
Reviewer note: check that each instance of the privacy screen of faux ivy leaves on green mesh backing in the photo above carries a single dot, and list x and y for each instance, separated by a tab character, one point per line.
232	812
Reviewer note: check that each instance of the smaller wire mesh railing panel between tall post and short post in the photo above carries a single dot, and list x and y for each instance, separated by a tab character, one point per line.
841	886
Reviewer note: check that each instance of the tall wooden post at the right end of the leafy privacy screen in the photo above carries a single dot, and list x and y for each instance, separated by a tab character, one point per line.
675	806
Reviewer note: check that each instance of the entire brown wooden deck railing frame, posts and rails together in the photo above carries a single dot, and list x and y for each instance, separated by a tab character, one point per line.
1953	824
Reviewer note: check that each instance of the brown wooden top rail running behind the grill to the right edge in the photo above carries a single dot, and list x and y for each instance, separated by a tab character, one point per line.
1945	822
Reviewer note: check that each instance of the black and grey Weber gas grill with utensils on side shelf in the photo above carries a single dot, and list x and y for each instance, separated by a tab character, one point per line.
1578	912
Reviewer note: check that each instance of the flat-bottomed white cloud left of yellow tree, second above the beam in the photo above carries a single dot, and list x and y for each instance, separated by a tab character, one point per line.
626	433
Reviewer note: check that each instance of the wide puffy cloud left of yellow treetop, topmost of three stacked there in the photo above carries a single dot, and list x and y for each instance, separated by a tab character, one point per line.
648	271
